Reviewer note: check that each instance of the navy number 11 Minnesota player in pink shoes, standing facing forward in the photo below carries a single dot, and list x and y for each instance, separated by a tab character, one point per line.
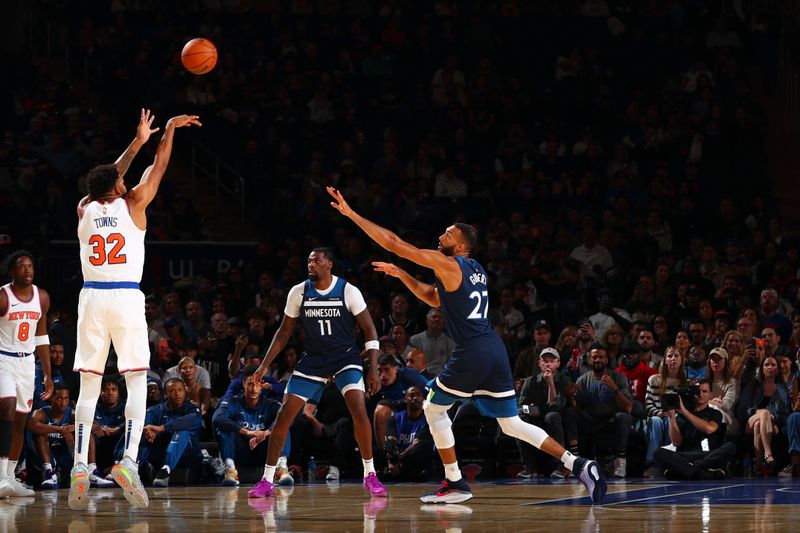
326	306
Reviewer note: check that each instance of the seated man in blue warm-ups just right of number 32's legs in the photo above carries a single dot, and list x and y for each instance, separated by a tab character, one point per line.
171	433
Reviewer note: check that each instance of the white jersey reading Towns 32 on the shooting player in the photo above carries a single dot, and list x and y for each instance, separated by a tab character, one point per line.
112	247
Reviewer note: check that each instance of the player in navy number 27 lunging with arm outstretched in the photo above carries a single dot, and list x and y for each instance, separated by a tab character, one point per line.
479	365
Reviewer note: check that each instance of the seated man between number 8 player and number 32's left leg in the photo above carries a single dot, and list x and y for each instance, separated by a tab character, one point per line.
52	430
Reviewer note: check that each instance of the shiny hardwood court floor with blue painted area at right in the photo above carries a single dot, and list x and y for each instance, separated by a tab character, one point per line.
736	505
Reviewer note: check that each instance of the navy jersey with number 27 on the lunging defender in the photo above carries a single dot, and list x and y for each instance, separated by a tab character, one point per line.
466	309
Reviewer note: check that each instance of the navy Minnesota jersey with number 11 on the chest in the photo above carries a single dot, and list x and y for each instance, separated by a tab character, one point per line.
327	323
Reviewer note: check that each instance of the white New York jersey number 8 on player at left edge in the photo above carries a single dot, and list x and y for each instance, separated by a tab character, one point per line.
18	324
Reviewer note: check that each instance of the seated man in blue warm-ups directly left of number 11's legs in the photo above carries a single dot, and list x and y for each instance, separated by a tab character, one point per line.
242	426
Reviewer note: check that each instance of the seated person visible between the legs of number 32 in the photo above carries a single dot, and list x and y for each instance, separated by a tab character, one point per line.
109	421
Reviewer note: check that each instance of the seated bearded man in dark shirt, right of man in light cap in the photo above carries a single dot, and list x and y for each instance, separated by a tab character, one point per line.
604	403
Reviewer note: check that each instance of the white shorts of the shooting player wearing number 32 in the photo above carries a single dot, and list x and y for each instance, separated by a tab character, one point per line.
108	316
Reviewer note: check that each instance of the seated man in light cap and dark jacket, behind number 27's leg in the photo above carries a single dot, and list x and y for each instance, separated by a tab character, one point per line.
544	402
